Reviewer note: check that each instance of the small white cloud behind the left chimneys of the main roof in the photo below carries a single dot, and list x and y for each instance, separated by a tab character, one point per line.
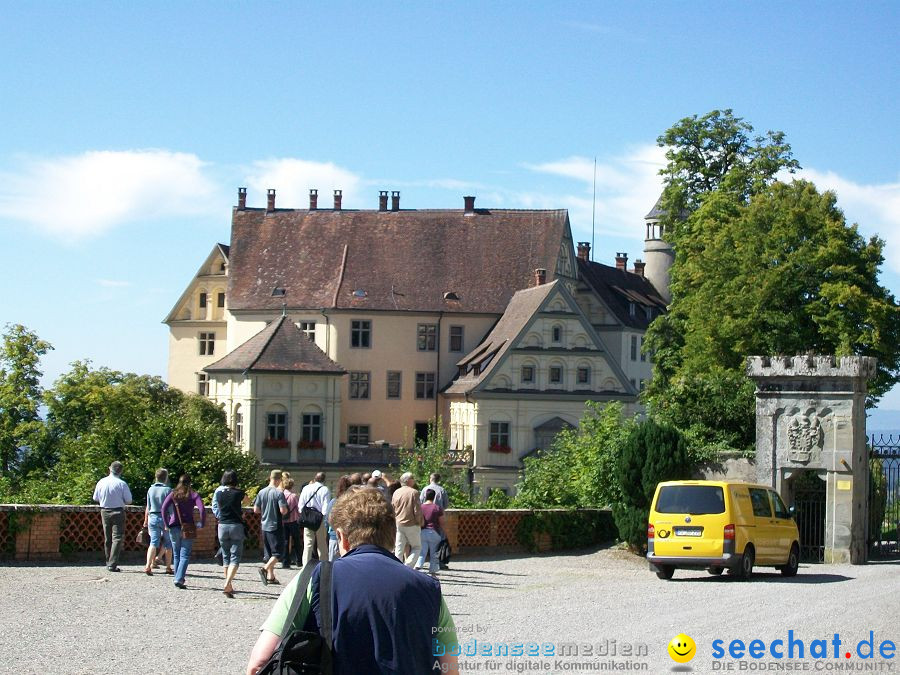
293	178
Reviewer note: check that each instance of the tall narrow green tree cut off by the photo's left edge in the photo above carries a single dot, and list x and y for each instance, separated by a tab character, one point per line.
20	396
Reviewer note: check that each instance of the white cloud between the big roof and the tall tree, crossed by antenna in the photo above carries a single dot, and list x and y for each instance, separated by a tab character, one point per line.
628	186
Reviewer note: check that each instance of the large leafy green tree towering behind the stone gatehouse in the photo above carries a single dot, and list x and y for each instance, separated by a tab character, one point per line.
761	267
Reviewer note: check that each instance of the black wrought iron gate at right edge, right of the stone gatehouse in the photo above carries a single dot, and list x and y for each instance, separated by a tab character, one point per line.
884	497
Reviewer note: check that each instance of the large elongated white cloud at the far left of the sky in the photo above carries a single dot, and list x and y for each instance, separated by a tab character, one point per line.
84	195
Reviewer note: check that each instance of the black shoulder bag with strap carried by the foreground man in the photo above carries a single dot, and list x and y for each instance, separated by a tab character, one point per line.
302	652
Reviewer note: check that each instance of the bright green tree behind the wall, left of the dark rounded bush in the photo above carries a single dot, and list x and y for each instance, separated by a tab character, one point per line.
578	470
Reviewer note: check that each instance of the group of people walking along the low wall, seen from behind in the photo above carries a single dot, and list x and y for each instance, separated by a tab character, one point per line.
291	532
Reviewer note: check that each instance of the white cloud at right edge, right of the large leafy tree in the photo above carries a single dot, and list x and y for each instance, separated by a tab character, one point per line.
875	208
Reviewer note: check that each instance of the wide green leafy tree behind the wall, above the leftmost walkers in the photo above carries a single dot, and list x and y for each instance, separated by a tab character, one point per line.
102	415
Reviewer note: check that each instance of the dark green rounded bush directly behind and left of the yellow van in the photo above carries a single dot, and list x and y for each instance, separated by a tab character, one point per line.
652	453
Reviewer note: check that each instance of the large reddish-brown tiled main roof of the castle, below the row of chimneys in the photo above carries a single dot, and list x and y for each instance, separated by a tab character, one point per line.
390	260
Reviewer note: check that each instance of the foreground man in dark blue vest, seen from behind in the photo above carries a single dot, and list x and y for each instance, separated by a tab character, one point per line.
387	618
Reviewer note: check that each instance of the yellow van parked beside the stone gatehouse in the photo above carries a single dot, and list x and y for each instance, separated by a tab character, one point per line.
719	525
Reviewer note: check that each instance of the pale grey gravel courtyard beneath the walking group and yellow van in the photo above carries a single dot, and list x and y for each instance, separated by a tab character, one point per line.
65	618
